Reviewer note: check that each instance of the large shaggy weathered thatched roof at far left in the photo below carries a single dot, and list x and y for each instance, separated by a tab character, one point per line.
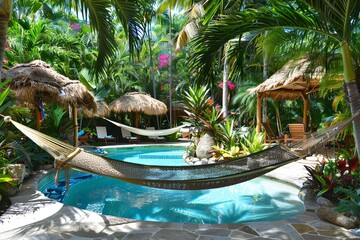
37	79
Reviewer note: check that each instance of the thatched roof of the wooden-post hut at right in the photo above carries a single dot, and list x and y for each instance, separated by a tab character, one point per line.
295	78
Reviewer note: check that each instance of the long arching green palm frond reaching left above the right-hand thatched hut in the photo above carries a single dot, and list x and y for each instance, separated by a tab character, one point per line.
219	32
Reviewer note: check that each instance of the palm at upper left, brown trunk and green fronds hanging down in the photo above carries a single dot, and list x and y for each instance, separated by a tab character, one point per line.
101	19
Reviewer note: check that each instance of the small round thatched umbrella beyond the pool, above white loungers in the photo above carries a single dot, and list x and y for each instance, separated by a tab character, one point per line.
138	102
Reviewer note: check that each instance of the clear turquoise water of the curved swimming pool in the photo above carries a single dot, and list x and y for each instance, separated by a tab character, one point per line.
260	199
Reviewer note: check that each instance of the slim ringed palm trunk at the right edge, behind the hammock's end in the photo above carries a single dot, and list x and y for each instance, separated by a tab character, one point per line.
352	90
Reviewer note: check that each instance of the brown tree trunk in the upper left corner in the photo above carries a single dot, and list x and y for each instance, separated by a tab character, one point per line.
5	13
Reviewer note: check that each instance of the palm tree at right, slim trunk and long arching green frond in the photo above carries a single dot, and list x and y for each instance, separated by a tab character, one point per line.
335	19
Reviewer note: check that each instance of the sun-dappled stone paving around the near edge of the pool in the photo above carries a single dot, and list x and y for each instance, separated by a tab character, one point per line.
34	216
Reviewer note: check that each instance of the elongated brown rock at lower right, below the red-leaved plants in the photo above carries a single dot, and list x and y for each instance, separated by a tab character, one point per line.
334	217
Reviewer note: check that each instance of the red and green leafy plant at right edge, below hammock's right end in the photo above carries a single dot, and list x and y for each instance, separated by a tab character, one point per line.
342	172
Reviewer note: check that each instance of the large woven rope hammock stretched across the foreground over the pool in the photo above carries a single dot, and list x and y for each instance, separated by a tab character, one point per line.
222	173
